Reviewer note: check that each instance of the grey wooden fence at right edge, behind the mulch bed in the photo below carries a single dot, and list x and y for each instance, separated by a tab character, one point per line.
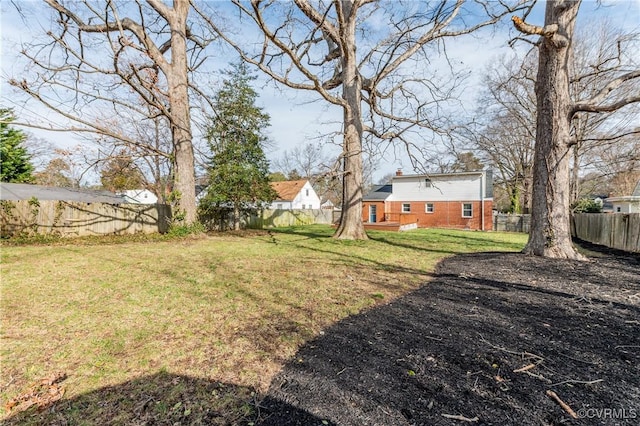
616	230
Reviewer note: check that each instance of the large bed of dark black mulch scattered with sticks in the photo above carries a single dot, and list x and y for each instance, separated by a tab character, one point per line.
483	343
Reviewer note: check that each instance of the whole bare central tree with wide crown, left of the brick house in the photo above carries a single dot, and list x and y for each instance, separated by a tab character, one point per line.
371	59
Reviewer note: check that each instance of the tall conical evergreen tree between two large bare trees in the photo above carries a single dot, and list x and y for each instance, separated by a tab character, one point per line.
238	170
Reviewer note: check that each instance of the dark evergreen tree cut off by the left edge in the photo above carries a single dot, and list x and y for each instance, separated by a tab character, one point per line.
15	160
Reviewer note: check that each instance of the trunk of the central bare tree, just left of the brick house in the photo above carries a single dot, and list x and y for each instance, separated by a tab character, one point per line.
351	226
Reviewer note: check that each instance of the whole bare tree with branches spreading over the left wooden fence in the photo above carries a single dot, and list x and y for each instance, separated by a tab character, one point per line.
103	58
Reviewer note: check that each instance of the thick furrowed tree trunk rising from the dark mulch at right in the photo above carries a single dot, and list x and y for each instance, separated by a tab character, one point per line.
550	216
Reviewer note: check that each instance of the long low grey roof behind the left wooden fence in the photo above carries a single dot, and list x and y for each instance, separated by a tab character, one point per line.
24	191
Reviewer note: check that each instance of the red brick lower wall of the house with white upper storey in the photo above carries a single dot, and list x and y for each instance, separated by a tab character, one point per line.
446	214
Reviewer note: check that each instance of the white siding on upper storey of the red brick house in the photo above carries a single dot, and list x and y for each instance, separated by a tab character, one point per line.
443	188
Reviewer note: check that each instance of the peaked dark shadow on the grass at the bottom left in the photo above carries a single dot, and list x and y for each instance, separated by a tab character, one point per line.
161	399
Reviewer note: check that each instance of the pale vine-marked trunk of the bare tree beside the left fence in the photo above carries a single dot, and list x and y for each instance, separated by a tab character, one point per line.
178	83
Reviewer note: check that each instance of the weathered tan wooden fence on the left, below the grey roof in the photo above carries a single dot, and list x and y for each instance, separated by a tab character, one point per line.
78	219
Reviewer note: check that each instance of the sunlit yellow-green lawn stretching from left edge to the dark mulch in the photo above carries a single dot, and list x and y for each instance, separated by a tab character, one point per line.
227	309
